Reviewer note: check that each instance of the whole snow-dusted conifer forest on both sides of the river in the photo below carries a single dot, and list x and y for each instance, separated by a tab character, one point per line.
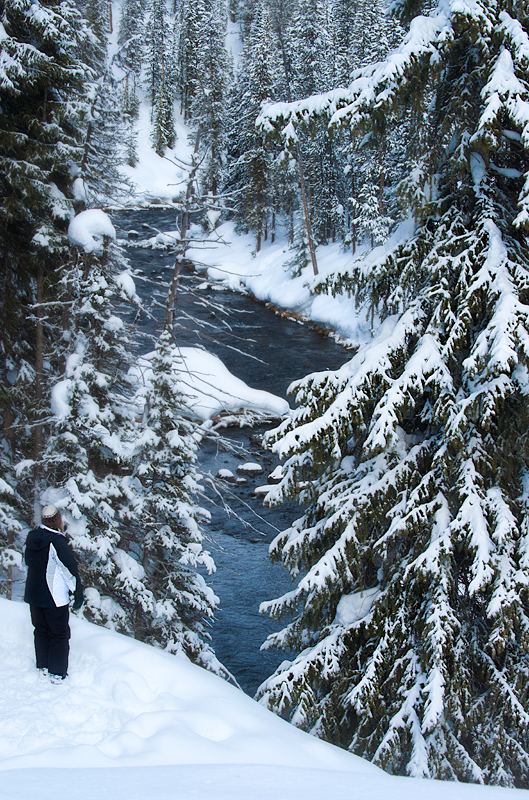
397	130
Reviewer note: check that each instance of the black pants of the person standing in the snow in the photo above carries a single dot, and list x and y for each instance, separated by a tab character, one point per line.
52	634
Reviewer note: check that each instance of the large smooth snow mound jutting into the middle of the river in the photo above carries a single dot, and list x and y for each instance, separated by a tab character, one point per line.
210	388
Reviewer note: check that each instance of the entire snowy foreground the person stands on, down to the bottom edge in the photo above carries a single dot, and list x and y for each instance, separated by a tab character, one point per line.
134	722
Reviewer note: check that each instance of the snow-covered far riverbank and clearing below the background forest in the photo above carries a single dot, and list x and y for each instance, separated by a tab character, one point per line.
230	258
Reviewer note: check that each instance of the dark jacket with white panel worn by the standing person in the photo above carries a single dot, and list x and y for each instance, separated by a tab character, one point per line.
52	569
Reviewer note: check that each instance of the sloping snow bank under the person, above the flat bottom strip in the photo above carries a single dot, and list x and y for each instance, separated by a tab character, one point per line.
128	704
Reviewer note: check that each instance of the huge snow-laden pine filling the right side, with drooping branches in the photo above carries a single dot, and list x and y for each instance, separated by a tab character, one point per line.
411	619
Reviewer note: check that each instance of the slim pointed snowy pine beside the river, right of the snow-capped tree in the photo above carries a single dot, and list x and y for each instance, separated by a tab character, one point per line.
174	610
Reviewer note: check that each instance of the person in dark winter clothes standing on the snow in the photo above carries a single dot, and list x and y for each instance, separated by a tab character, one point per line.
52	573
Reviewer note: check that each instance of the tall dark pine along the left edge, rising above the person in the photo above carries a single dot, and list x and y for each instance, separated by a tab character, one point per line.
41	106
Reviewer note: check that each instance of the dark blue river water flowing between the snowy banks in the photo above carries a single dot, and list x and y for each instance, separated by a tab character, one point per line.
267	352
